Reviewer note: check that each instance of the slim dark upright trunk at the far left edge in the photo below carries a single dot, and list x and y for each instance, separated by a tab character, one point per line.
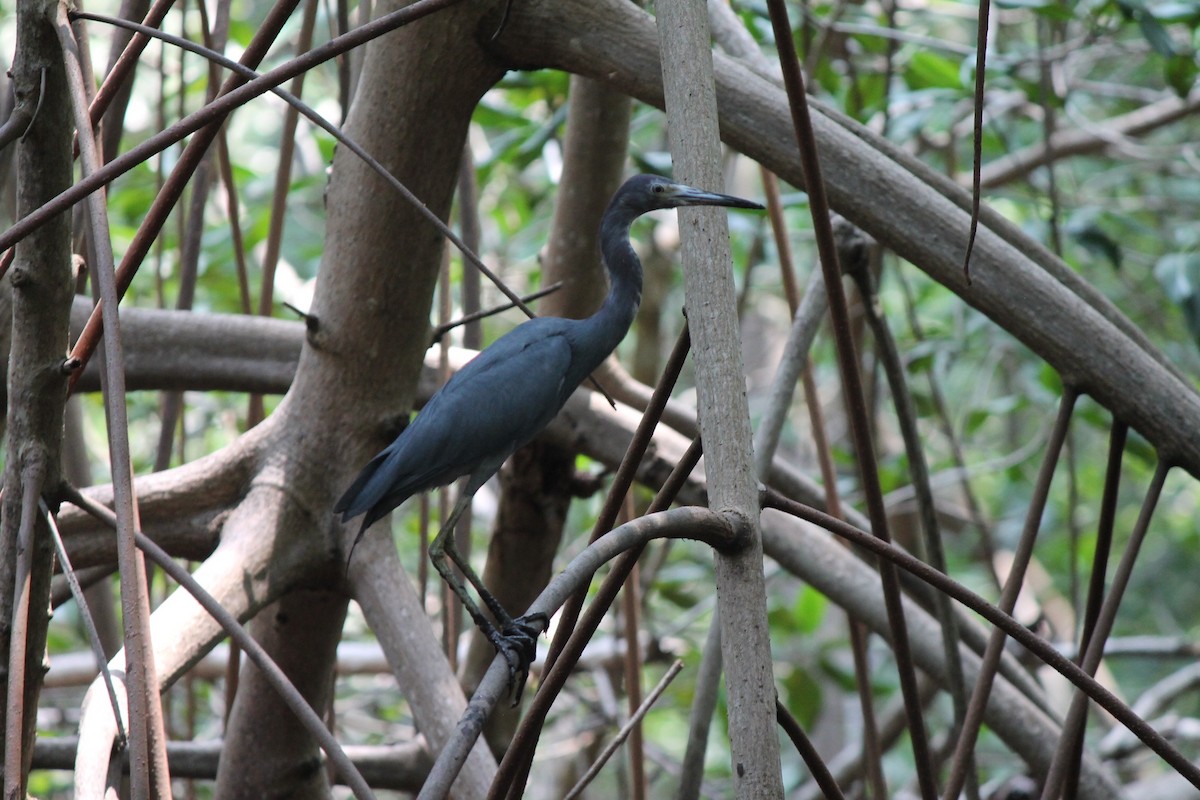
41	305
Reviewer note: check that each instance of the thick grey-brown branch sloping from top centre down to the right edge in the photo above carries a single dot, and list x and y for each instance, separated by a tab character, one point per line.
1016	281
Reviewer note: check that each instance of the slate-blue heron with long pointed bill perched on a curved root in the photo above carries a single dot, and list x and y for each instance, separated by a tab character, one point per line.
506	396
